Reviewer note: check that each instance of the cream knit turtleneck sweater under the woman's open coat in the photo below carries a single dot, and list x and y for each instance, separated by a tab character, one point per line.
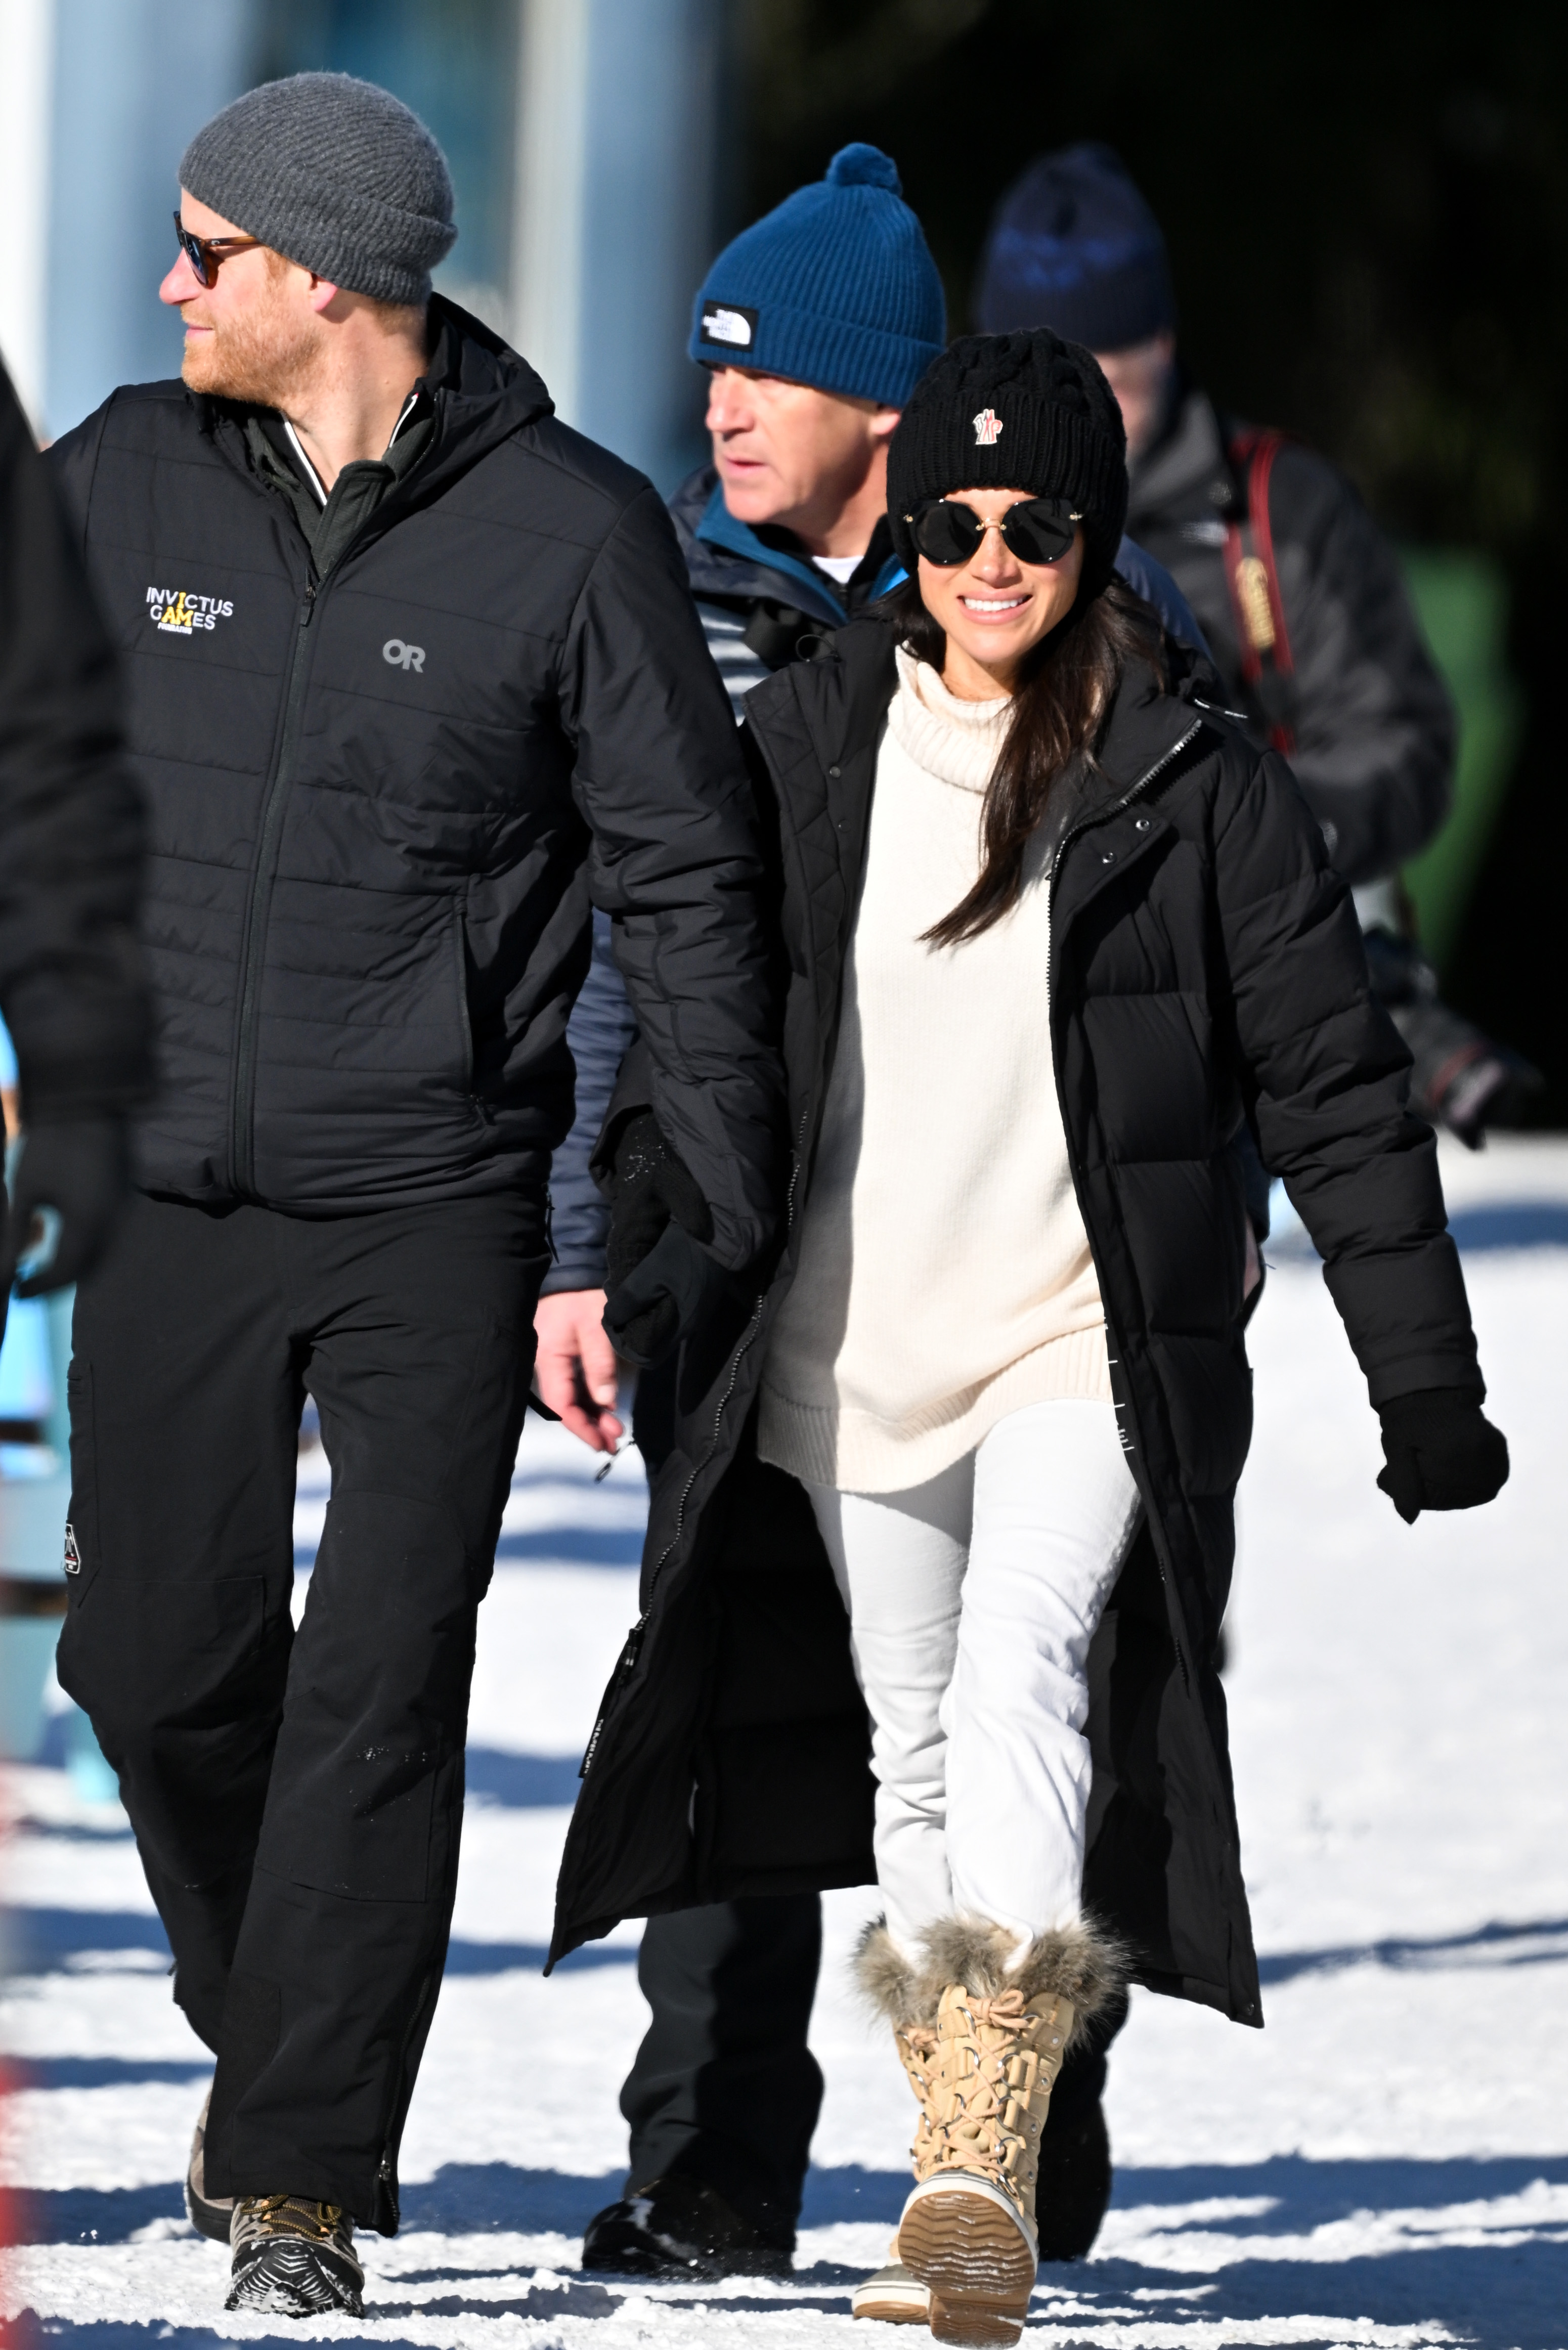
944	1268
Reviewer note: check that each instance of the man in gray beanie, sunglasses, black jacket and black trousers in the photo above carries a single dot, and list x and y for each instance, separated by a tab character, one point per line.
417	683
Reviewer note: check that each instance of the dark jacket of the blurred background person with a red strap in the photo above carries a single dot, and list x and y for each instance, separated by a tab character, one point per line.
1372	723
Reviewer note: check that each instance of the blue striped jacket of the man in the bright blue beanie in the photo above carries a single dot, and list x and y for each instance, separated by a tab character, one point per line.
763	603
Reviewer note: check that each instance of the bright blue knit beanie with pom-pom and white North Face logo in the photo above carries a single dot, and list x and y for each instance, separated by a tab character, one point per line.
836	288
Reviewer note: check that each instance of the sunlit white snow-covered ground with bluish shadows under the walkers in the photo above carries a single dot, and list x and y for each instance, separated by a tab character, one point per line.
1386	2166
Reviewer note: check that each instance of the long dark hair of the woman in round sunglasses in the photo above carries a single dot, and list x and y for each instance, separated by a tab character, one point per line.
1059	713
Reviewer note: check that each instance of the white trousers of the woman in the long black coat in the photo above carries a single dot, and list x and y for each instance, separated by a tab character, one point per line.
972	1604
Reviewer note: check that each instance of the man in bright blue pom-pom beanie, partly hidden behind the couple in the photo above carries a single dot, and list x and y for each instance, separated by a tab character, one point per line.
815	328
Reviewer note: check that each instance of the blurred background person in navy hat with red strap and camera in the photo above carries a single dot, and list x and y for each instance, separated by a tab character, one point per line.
1296	589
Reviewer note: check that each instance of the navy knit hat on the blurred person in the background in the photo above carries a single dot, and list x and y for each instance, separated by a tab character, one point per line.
1076	248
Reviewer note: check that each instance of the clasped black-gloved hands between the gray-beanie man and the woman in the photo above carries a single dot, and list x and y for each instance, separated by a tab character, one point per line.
657	1273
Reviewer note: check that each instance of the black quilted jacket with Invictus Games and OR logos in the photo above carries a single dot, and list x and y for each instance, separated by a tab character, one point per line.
384	793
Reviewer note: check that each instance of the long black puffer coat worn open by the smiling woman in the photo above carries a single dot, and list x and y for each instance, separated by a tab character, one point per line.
1205	969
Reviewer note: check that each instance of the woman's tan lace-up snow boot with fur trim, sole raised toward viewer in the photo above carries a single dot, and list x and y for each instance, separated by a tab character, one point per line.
981	2043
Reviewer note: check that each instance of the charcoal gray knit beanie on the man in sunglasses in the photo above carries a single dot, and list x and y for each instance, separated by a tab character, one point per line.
335	175
